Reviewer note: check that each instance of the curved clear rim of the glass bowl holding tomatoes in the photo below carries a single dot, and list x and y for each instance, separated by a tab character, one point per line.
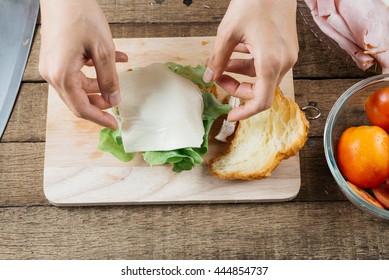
328	147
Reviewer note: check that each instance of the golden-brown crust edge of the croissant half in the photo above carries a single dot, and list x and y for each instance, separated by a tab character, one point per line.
265	170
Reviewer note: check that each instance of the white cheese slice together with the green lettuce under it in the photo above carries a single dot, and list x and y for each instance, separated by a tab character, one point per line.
166	113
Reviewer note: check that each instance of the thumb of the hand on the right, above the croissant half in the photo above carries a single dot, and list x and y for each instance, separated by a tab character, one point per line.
222	50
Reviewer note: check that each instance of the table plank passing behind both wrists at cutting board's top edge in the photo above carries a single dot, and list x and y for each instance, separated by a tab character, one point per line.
315	60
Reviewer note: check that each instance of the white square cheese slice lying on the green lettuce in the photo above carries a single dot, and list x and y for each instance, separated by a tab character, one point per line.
159	110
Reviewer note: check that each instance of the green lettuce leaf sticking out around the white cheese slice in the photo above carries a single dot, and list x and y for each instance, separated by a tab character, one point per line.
181	159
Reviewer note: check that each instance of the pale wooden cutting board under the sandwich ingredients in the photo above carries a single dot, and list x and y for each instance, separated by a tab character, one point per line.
76	173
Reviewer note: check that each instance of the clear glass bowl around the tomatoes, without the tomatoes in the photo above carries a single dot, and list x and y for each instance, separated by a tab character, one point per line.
349	111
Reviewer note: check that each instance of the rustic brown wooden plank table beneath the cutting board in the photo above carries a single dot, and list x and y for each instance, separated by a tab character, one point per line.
320	223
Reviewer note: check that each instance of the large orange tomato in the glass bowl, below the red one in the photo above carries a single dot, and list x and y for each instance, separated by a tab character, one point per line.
363	155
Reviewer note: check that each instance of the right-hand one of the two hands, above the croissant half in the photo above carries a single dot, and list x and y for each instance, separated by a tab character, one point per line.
266	29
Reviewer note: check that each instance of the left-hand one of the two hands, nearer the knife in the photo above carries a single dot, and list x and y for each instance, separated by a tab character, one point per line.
76	33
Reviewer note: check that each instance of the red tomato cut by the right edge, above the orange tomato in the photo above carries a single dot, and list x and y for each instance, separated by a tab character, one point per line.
377	108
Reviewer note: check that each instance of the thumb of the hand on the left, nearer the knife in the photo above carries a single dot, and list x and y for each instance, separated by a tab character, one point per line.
107	76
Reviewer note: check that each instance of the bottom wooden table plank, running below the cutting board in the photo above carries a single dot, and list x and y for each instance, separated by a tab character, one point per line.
333	230
